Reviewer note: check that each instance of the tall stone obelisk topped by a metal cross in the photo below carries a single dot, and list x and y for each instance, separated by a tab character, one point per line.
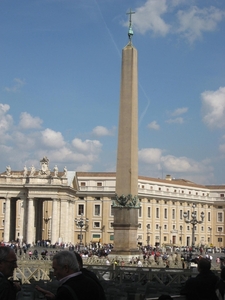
126	202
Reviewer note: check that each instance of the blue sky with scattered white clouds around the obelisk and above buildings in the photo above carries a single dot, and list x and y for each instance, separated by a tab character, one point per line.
60	69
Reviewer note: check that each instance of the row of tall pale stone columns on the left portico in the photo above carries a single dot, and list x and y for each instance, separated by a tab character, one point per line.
31	220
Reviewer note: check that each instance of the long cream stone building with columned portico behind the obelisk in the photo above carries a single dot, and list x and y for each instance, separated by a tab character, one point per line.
44	204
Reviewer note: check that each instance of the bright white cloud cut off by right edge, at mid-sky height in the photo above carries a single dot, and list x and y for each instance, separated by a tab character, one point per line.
213	107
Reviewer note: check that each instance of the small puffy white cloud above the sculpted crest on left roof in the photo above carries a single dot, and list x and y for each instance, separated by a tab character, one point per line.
52	139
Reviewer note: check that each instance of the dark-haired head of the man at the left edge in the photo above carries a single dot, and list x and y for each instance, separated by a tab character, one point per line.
8	261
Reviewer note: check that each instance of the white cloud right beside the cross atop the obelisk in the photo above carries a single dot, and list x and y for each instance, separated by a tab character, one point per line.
149	17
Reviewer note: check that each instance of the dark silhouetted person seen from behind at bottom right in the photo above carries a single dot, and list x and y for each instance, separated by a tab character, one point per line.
203	286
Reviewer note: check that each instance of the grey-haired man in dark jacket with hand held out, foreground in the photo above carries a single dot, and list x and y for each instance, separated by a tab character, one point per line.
73	284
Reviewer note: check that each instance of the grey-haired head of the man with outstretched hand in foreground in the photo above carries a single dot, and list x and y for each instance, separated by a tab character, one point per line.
64	264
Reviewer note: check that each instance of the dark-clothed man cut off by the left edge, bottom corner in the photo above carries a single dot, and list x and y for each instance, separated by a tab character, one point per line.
8	262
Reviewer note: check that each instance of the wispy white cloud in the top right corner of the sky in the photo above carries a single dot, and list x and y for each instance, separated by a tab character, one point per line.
195	21
